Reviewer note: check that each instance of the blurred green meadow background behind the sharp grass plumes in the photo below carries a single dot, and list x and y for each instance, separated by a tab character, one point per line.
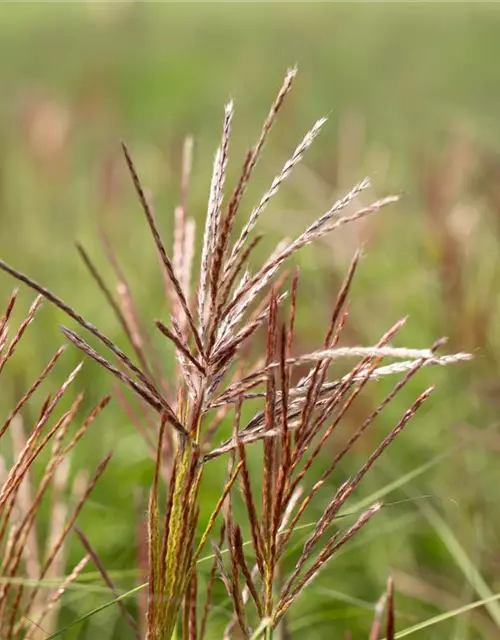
412	94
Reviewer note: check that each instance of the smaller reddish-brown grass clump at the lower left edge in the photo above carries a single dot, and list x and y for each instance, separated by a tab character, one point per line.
33	561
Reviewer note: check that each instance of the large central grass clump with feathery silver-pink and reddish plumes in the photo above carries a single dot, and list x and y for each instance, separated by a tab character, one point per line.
293	403
